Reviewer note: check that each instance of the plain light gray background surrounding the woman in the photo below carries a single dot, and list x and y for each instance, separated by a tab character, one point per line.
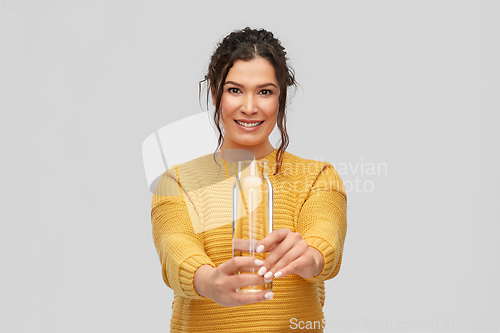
412	85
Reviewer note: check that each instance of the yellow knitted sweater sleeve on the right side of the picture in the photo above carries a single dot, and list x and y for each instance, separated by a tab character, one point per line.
323	220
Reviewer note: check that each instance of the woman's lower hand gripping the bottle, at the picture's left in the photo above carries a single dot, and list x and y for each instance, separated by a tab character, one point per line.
219	284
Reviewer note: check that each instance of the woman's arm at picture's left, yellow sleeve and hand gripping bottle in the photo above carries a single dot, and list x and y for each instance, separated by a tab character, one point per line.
186	268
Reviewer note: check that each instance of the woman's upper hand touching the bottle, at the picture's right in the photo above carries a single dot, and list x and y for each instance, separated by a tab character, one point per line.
288	254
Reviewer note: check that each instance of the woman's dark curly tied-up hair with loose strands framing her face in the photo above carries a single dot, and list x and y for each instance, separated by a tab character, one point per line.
247	44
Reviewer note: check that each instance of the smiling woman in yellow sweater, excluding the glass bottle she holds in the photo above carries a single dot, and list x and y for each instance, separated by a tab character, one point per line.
248	79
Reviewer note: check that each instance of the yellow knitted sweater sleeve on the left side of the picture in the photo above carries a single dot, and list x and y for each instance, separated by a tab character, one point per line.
180	249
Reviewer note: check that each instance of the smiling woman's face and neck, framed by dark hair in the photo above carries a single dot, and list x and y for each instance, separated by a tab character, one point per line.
250	95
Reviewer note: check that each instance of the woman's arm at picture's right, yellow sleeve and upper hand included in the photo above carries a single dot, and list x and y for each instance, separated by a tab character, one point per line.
315	250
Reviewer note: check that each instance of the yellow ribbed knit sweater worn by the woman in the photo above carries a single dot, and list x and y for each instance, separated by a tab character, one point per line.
191	216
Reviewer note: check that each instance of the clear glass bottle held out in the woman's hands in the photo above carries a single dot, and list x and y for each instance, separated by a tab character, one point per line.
252	214
